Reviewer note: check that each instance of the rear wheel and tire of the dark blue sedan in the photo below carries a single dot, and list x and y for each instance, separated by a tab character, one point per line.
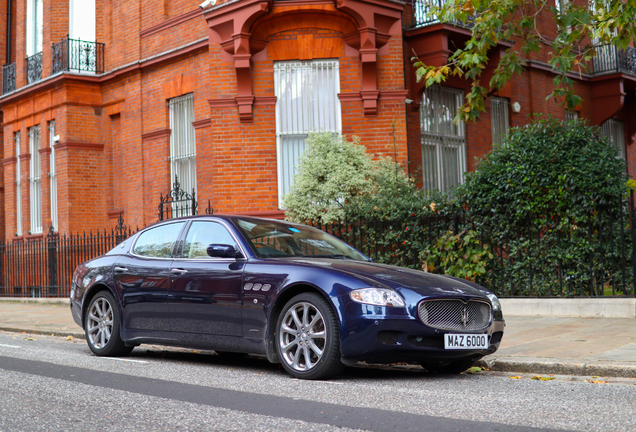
102	327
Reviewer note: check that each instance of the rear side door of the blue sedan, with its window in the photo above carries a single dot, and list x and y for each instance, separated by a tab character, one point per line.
142	278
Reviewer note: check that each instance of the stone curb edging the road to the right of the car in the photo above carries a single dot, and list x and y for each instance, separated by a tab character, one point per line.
559	367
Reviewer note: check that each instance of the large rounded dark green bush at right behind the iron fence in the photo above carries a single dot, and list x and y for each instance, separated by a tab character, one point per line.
551	199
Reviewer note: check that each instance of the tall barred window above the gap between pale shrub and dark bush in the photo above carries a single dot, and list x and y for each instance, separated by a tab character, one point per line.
443	141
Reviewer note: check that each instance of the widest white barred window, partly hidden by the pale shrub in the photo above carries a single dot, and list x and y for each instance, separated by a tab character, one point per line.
306	101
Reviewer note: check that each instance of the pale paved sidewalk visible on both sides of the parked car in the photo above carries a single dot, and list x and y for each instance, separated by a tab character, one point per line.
542	345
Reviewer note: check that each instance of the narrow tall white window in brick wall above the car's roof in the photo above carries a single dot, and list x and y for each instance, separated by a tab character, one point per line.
183	151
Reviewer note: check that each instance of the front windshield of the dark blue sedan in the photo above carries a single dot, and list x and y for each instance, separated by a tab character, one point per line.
271	239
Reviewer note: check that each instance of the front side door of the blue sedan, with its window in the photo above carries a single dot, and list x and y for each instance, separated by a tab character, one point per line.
205	294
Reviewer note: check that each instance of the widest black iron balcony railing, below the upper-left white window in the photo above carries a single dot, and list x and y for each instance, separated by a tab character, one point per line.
77	55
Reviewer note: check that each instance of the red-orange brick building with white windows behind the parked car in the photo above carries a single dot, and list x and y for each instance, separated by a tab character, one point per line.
104	102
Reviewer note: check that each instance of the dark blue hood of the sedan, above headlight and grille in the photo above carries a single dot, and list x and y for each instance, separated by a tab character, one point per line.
376	274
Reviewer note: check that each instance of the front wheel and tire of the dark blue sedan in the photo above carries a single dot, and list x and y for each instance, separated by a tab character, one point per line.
308	338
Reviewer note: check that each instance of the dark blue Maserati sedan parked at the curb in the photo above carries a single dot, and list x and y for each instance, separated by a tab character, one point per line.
290	292
